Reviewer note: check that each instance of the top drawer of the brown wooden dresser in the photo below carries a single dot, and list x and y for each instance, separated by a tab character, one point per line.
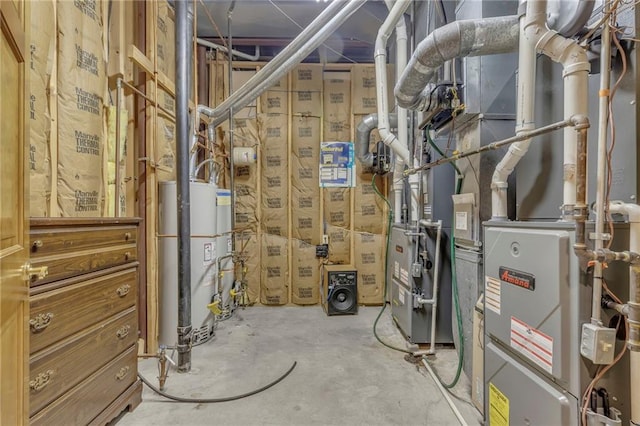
69	251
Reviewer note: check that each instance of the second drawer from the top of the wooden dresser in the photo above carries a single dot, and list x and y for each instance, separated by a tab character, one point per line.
76	304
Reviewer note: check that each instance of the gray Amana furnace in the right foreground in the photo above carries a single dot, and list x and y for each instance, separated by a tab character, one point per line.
536	300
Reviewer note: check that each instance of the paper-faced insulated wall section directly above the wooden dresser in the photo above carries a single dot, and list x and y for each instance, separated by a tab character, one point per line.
72	110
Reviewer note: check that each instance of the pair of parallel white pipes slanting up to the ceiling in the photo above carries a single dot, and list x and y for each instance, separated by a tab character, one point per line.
308	40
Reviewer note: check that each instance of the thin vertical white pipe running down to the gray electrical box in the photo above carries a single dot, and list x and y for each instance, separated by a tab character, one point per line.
603	119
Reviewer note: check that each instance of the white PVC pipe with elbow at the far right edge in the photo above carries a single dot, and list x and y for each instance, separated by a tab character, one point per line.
633	212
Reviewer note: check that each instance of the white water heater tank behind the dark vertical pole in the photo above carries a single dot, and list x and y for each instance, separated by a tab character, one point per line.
203	256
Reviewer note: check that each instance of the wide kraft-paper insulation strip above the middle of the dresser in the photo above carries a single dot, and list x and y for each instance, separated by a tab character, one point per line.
82	86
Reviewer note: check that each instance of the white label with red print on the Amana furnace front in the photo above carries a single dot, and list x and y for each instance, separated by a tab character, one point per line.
532	343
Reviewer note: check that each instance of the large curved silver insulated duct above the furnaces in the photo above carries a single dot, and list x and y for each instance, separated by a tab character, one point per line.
458	39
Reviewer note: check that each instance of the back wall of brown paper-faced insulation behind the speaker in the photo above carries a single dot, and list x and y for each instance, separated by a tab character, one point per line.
281	211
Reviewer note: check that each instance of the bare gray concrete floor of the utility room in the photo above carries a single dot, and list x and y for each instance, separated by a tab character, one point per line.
343	376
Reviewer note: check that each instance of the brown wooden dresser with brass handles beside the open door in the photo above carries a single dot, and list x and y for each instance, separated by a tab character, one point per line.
83	321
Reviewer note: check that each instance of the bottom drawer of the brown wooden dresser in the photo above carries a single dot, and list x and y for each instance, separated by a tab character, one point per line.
87	400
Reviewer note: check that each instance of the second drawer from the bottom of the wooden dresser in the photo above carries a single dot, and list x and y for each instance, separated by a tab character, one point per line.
58	368
